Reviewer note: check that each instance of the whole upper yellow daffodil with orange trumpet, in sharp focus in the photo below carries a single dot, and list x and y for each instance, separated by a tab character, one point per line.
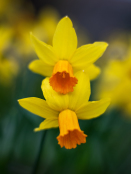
63	59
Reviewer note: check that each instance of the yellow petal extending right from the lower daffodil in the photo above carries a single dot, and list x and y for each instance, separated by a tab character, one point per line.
93	109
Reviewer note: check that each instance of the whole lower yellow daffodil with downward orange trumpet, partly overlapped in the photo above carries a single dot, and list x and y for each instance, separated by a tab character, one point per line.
63	111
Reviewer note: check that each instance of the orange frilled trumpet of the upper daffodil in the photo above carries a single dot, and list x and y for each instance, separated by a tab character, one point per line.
62	79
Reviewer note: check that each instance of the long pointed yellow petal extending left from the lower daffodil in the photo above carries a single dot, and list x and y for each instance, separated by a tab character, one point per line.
39	107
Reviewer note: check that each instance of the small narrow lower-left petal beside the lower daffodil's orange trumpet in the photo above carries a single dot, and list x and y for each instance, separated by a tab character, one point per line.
47	124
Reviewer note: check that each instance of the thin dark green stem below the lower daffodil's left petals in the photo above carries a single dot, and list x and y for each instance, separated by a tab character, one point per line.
36	165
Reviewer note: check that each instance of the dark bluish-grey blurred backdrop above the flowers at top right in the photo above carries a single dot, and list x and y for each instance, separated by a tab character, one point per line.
99	17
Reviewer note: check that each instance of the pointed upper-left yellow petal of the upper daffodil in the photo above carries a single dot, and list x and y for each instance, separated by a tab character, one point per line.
44	52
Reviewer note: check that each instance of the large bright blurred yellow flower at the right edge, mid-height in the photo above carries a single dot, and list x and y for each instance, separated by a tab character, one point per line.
116	83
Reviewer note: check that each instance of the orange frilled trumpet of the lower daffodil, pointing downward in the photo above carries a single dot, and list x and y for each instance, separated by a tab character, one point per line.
70	132
